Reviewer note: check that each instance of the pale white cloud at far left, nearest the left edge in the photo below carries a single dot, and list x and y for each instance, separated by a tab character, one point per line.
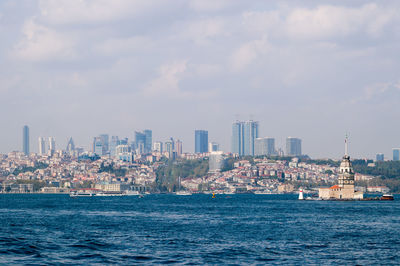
41	43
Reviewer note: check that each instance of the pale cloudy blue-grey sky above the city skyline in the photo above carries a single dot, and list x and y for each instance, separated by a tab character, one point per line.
309	69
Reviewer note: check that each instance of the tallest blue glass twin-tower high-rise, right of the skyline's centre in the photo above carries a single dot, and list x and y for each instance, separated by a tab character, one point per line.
243	137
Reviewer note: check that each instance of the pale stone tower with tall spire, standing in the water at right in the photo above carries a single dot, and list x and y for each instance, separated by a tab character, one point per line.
344	190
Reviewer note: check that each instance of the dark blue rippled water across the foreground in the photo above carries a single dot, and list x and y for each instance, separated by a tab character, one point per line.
239	229
